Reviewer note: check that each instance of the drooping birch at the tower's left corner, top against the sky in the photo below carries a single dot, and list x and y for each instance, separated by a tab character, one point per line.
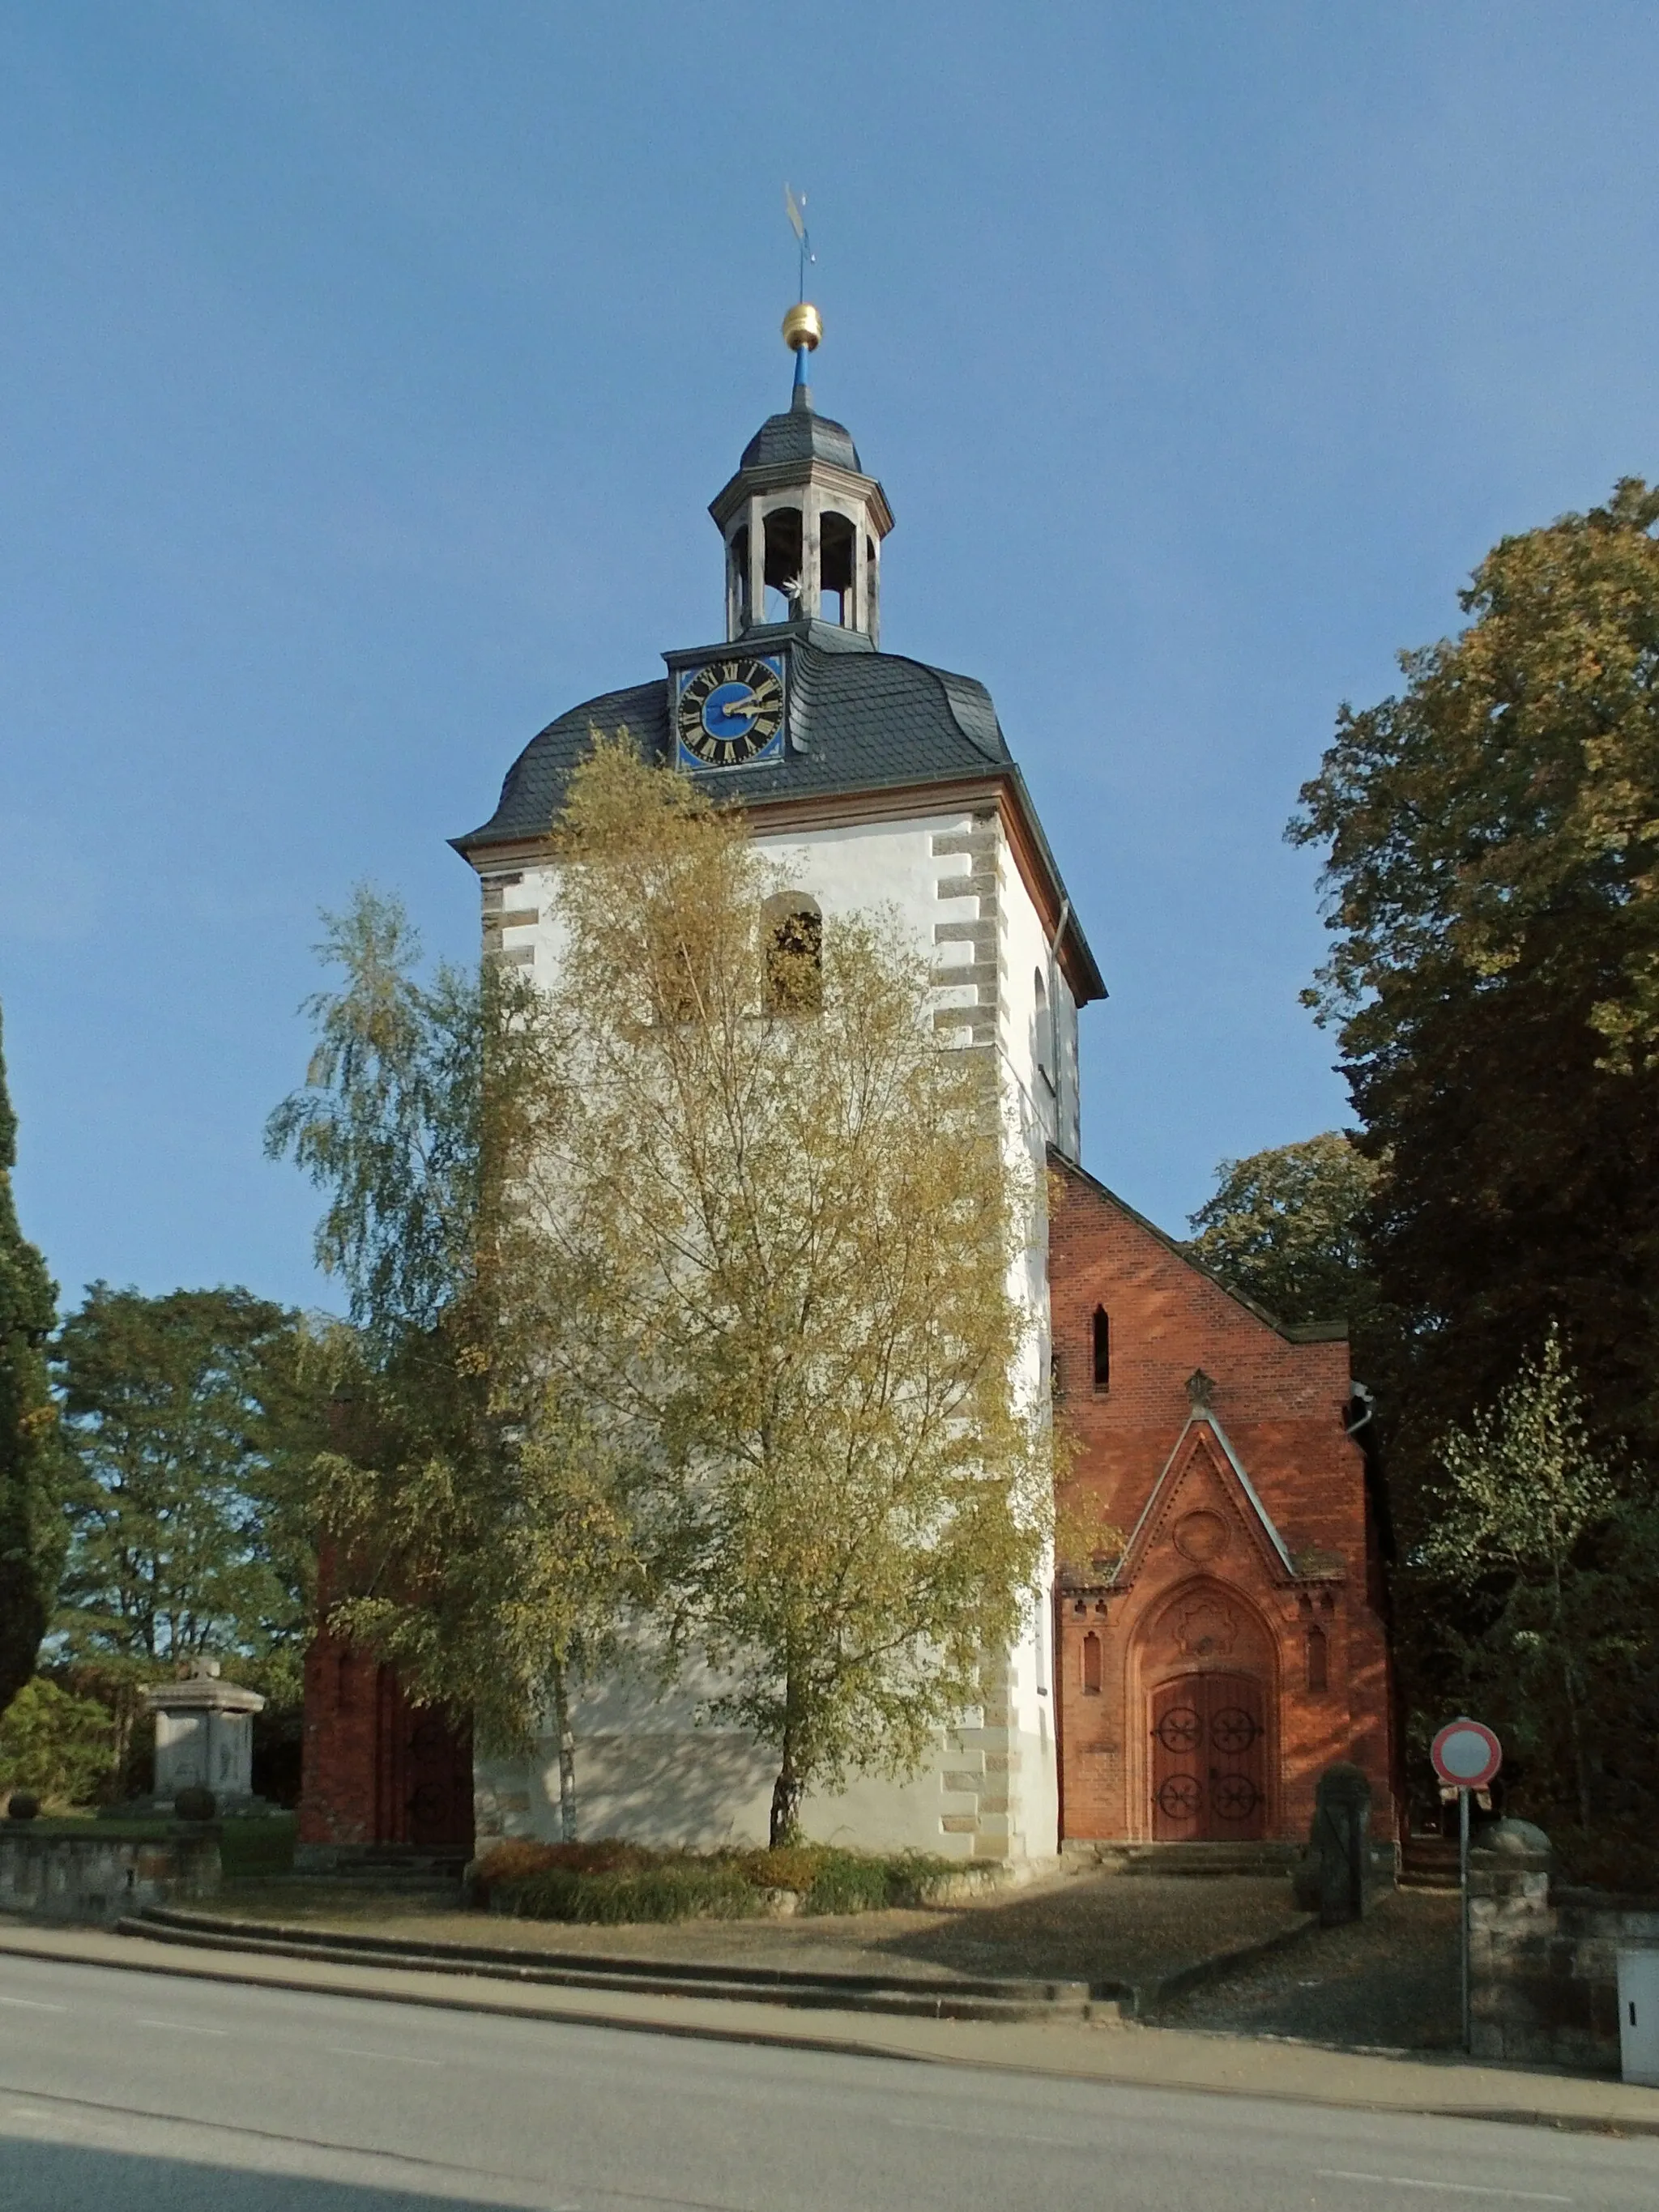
486	1525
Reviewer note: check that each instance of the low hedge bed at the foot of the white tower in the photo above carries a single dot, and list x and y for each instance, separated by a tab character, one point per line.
616	1881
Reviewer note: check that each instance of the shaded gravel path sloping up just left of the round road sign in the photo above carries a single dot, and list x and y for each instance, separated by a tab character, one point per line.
1386	1983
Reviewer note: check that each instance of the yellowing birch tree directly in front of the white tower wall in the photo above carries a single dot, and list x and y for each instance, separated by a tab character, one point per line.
786	1224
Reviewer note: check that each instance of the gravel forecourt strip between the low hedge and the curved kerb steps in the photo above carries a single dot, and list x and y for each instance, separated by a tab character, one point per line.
1074	1928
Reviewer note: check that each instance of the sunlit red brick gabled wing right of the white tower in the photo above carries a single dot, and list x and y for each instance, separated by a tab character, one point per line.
1204	1589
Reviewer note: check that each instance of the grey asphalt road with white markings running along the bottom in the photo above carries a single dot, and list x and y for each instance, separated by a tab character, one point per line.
145	2094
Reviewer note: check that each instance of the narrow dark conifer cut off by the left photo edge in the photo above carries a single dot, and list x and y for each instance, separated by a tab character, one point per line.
32	1523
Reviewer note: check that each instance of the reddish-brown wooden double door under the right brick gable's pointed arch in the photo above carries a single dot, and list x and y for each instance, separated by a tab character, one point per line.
1209	1760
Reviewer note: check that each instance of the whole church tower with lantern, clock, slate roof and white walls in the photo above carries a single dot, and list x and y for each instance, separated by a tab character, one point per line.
870	780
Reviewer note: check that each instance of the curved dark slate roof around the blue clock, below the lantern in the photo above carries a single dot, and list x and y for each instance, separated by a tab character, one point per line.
859	722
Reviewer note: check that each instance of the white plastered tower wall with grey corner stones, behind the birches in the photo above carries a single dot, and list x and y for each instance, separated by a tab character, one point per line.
990	1788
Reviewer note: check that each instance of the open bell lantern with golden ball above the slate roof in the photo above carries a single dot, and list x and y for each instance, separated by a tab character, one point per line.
802	521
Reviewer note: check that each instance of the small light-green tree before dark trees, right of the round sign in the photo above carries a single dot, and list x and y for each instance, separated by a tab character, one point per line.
1541	1565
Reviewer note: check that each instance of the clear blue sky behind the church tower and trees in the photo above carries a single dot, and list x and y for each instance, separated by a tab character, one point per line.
366	373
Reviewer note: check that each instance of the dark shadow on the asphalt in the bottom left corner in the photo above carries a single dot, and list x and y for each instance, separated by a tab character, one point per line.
76	2178
